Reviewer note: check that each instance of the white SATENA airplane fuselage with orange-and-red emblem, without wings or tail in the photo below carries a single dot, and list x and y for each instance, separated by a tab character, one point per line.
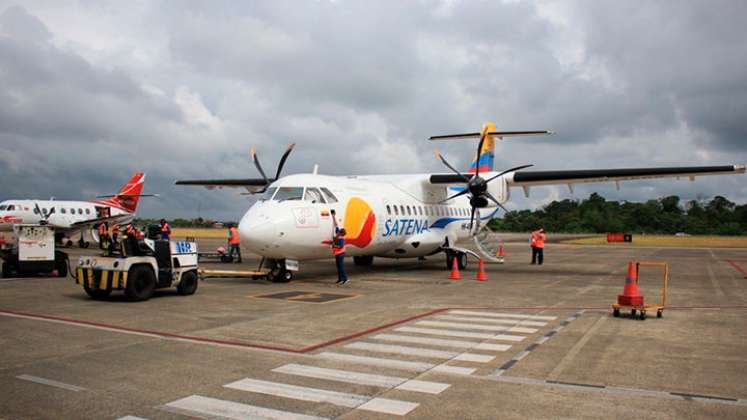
397	216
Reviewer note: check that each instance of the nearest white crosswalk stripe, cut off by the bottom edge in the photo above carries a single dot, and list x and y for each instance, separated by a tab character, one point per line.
215	408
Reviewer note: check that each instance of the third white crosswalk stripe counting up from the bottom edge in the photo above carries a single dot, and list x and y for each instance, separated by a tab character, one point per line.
361	378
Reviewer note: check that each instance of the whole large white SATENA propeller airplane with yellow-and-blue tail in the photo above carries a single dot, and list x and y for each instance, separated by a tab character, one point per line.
399	216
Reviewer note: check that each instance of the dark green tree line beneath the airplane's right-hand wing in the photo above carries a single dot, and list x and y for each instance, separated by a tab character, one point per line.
666	215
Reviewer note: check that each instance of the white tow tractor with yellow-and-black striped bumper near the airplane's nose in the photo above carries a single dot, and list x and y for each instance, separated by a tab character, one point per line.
138	268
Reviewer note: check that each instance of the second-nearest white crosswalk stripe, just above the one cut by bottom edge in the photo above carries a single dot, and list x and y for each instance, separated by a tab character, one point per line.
343	399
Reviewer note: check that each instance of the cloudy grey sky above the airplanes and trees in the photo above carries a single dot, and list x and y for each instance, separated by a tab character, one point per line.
91	91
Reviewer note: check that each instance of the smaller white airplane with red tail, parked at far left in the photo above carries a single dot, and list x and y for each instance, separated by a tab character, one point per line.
72	217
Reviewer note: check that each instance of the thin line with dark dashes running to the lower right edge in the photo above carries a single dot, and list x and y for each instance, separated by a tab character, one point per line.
610	389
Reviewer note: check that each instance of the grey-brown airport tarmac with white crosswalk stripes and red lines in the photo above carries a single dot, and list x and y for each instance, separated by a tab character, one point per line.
400	340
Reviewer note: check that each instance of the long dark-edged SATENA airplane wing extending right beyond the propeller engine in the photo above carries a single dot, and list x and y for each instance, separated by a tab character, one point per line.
526	179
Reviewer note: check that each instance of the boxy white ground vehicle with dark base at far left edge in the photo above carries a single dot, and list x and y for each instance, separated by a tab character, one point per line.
33	252
